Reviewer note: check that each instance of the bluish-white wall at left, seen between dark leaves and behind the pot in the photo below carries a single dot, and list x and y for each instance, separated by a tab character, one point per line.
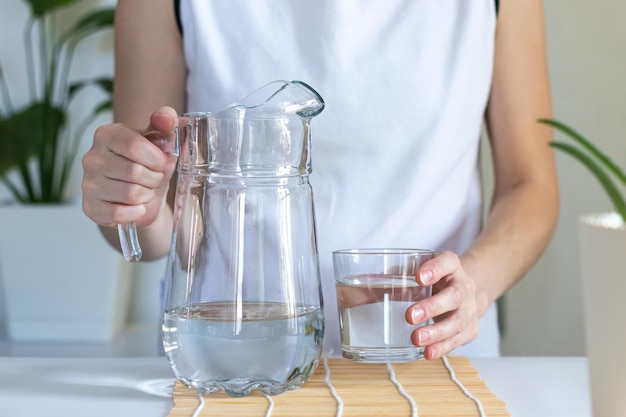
93	58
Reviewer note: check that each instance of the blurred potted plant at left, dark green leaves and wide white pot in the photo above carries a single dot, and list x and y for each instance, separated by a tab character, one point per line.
61	280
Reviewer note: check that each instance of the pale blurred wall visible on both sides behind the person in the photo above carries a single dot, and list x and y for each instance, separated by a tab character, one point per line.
541	316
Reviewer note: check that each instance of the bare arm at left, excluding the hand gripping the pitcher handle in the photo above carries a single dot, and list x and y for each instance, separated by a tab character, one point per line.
150	73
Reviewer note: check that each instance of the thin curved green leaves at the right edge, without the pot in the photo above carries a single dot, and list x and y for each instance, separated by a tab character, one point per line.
601	166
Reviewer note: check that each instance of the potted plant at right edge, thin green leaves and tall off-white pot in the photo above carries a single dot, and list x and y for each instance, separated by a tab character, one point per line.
602	242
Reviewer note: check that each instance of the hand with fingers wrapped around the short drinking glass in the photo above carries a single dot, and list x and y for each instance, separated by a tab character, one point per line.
452	306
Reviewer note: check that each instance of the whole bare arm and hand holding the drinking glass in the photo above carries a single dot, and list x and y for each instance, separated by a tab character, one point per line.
524	209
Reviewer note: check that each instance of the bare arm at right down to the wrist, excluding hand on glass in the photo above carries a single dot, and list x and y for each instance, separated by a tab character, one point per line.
525	204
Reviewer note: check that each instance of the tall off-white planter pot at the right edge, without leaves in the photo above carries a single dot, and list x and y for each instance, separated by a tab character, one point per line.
603	268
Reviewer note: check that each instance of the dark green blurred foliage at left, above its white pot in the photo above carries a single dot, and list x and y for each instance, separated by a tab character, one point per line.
36	140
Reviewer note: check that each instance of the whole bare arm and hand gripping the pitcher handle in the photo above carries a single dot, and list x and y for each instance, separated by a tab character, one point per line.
125	177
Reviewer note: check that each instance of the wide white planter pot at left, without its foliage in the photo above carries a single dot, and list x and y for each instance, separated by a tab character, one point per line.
62	282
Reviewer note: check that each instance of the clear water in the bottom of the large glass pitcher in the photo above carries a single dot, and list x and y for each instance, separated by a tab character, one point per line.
267	346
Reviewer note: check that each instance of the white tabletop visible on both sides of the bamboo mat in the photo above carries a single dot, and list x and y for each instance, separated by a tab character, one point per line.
120	387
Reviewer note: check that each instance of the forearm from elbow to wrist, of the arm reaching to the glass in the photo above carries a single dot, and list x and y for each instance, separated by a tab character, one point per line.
516	232
